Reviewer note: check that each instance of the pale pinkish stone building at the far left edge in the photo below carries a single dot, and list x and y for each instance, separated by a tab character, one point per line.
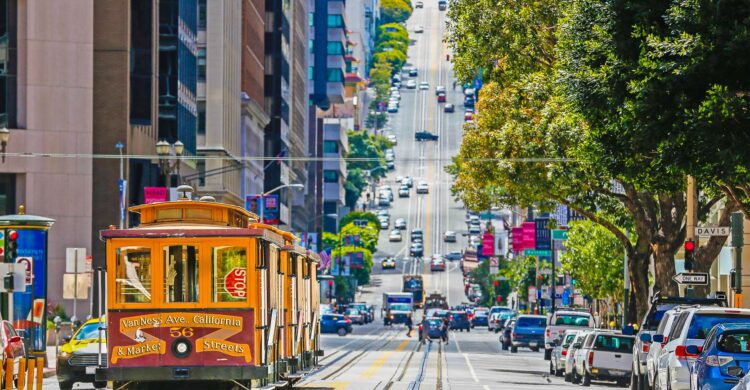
47	88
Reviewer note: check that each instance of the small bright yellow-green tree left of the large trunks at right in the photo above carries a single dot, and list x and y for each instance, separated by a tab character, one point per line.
594	258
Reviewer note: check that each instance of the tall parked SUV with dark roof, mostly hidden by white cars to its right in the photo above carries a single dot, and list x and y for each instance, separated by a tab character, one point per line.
659	305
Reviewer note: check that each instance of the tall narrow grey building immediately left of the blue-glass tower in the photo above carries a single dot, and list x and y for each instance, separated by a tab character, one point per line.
286	96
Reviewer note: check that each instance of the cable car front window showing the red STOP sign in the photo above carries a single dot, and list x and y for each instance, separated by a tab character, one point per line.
229	274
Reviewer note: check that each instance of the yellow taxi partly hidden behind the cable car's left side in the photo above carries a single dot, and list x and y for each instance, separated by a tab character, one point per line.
77	358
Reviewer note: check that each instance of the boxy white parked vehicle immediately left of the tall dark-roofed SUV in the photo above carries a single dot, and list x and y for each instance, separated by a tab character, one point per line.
605	355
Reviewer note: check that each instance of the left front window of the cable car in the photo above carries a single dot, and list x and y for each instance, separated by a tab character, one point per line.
133	284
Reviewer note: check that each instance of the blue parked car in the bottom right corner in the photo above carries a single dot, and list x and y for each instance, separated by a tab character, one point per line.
726	346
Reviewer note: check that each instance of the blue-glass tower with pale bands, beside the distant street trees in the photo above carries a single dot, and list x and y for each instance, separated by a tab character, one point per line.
326	85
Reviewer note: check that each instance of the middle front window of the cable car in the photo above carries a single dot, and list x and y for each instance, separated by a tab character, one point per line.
181	273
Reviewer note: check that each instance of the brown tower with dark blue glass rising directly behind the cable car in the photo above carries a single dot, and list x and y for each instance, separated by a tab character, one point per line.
144	86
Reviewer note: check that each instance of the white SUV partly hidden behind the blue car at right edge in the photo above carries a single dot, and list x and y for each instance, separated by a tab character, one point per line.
691	328
